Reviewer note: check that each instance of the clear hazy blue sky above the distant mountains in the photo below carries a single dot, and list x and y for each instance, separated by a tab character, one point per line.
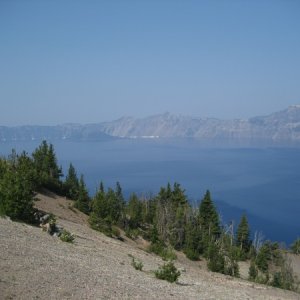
91	61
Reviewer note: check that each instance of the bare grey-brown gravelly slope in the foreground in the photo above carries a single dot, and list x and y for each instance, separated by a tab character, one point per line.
35	265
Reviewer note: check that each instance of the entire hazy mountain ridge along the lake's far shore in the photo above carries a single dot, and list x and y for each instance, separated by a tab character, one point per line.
280	128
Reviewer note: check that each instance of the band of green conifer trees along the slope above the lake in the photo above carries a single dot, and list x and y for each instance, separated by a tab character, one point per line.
167	220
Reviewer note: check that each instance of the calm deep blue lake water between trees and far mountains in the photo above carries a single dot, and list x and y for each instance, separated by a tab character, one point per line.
264	183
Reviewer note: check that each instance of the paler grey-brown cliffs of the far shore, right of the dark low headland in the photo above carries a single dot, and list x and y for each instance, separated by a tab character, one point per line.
283	126
